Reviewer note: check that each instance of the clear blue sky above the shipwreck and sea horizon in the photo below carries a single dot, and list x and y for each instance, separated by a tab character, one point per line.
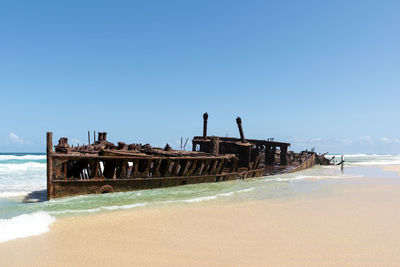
314	73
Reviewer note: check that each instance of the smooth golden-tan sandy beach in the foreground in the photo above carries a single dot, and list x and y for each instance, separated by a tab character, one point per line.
352	224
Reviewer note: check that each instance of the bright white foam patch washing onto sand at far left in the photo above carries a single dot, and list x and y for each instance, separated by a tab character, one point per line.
25	225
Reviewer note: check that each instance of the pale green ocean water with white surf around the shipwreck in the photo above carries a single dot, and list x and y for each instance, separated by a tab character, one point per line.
24	211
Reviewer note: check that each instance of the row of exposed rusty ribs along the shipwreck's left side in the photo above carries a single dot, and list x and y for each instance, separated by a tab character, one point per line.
139	167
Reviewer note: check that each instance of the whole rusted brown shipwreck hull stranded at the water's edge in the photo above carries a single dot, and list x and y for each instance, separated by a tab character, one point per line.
102	167
